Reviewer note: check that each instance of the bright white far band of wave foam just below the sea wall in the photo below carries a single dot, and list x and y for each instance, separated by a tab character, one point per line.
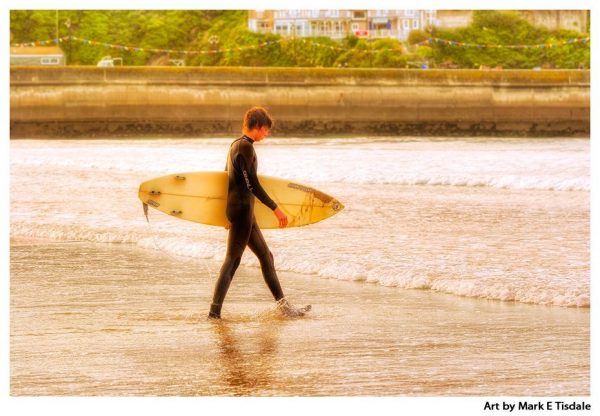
512	165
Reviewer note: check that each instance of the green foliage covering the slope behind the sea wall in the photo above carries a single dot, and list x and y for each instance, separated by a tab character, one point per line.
224	38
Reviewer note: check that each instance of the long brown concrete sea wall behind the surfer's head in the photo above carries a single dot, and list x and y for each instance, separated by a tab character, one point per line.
193	102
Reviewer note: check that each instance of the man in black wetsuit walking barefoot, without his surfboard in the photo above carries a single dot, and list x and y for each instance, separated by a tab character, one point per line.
243	229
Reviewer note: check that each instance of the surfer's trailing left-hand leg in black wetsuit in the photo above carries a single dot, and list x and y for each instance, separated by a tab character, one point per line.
237	240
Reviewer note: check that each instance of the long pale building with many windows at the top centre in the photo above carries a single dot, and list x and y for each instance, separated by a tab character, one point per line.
338	24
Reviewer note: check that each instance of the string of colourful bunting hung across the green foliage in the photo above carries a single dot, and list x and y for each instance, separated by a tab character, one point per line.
432	41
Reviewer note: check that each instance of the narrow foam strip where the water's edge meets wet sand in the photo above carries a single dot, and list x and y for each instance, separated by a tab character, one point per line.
564	292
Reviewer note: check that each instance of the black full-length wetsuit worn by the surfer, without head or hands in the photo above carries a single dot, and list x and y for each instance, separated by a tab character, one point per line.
244	231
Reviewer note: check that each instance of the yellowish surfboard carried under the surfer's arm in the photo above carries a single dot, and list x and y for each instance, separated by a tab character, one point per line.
202	197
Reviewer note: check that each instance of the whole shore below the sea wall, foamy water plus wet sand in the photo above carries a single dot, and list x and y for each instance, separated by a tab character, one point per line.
459	267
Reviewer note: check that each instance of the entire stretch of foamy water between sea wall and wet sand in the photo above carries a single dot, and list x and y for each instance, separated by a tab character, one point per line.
464	236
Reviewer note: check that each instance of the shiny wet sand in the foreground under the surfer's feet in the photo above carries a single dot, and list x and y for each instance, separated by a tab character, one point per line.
118	320
